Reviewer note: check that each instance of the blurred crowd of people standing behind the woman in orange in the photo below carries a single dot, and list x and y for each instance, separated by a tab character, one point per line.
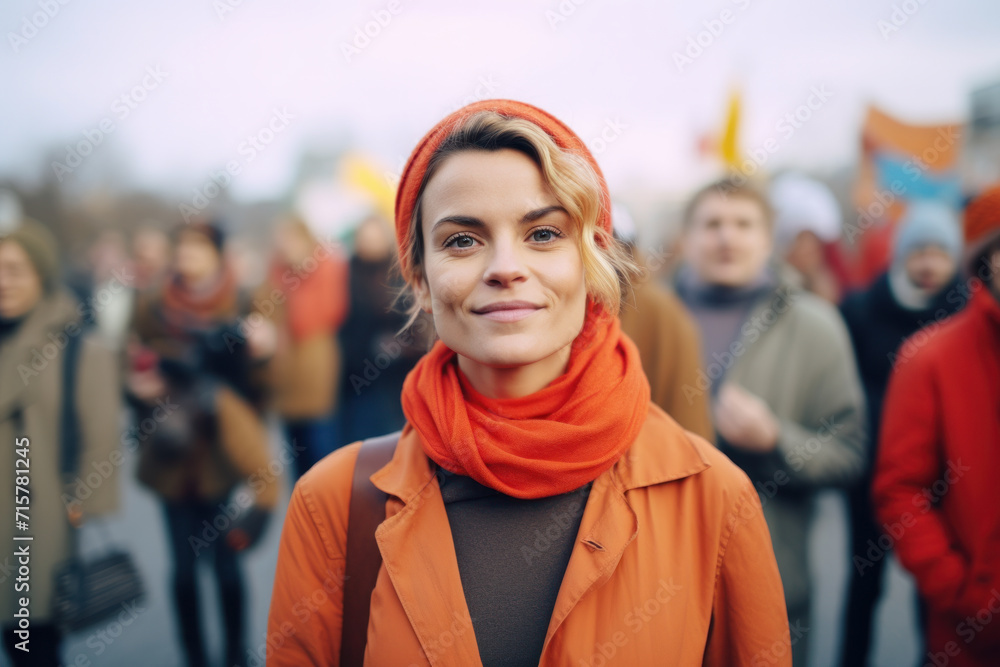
759	334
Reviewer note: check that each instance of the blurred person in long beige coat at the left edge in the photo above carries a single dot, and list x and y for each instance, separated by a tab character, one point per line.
37	320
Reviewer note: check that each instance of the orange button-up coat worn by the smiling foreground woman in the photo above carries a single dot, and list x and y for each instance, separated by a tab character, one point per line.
673	566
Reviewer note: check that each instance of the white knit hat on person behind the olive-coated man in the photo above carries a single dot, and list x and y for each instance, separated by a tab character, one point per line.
803	204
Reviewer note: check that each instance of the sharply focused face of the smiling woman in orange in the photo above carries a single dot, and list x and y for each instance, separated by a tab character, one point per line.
503	274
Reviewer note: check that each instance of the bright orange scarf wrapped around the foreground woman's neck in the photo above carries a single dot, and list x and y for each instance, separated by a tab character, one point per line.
544	444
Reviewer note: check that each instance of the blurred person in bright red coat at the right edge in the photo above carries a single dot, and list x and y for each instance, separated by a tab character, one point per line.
935	488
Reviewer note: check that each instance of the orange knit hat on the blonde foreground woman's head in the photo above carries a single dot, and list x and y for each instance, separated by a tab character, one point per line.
416	166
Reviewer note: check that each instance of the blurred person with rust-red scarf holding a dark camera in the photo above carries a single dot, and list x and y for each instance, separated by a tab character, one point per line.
197	375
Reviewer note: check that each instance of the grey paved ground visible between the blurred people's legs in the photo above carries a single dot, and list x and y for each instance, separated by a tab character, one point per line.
151	639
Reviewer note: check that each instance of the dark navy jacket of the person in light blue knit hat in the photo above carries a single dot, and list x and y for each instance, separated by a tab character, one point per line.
878	325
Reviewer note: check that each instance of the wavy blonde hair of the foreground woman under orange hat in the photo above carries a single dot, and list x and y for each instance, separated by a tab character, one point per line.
607	264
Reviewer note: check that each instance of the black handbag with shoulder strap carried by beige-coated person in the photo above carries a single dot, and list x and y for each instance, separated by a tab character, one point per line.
87	592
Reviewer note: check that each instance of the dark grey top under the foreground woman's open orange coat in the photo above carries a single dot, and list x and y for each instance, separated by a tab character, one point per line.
512	555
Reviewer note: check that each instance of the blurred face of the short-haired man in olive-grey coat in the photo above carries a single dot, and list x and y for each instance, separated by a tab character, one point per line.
728	240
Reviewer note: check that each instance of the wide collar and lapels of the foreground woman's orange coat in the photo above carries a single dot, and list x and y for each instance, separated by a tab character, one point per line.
416	541
